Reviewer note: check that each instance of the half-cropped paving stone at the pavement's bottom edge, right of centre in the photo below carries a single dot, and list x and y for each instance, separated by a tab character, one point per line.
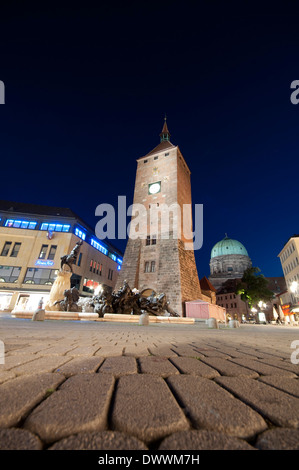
203	440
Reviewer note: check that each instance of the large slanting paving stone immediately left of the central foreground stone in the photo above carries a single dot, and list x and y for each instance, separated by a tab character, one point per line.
84	399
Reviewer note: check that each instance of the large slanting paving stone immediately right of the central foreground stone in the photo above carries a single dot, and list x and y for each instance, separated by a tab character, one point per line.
211	407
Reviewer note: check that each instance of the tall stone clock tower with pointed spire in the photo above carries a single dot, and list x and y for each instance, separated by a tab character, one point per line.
157	260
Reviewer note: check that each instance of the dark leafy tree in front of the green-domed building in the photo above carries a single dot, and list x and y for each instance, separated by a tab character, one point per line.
254	287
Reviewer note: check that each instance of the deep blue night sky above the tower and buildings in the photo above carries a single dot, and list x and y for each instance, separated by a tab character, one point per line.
86	93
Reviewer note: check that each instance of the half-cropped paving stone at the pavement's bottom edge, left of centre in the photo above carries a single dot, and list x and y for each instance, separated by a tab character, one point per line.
104	440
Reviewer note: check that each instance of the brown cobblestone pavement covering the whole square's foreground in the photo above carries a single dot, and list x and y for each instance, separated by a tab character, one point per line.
108	385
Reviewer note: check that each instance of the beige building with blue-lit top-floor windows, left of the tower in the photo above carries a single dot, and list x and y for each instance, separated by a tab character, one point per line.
33	238
